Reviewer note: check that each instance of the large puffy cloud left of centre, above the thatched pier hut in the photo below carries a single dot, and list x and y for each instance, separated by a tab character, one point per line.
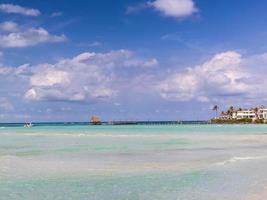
86	77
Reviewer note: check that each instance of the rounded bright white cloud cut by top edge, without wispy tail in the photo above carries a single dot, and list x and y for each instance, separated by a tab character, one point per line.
175	8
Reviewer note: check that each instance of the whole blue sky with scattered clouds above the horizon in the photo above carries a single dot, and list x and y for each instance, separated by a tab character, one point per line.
130	59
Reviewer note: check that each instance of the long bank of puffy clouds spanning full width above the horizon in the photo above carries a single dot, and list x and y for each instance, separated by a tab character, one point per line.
93	77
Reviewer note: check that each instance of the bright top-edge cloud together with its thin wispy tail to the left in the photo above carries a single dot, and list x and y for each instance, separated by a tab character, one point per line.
169	8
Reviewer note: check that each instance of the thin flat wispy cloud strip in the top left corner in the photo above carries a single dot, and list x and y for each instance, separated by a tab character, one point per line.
16	9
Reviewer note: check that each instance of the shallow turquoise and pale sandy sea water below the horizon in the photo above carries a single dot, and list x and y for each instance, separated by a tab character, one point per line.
132	162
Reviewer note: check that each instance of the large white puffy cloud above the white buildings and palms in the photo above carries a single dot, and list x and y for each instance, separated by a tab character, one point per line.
224	76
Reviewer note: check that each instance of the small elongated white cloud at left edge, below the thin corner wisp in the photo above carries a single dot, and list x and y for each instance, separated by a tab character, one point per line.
29	37
